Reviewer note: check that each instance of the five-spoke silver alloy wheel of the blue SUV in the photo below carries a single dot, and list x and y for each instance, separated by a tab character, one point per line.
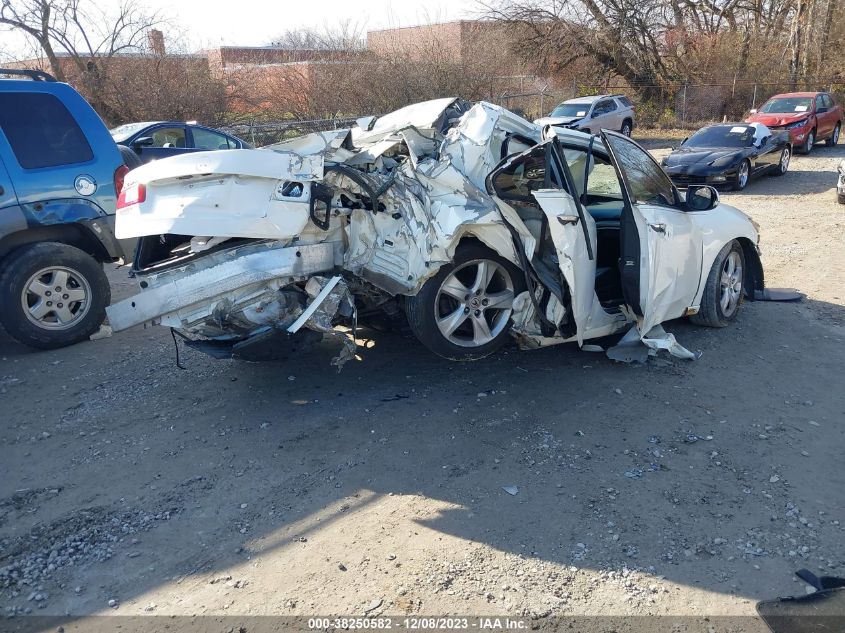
56	298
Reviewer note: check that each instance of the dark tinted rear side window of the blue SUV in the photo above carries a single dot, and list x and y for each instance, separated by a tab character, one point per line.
41	131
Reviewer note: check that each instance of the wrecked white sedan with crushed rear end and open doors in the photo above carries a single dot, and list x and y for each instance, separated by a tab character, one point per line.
475	223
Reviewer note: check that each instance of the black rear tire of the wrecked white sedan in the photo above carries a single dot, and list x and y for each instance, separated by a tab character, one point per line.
423	308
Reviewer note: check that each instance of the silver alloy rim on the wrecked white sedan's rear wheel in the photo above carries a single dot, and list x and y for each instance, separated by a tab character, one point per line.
474	303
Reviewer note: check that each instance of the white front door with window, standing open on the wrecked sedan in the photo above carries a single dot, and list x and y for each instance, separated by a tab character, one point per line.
660	252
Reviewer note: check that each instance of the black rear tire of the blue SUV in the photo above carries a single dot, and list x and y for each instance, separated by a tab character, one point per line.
86	276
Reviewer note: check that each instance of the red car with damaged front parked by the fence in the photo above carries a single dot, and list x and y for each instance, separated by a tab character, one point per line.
809	117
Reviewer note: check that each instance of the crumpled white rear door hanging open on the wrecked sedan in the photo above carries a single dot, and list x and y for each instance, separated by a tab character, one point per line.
537	185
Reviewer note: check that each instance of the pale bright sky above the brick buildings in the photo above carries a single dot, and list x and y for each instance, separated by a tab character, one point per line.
254	22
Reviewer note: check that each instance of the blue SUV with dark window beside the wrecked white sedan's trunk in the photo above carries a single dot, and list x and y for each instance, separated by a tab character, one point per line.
60	173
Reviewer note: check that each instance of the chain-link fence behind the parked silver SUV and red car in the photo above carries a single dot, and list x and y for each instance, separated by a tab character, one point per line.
684	106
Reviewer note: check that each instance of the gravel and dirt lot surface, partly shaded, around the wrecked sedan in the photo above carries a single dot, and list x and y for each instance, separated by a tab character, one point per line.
129	486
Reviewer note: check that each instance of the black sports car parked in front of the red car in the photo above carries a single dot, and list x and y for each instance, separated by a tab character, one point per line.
729	154
